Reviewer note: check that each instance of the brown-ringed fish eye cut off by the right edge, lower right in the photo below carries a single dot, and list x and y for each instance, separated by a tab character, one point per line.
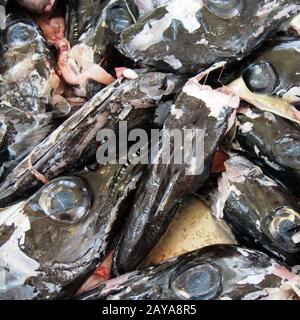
284	227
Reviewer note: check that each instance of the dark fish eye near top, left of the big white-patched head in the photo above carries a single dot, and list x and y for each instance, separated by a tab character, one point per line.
119	19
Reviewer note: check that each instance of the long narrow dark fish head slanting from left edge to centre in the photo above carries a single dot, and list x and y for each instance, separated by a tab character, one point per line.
123	100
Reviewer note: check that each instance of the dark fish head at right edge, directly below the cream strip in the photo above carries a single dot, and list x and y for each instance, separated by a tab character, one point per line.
272	142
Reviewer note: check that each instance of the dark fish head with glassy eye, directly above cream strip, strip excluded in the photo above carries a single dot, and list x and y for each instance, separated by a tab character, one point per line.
273	70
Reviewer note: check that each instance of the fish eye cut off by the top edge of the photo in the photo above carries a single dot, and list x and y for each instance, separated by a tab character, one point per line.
225	9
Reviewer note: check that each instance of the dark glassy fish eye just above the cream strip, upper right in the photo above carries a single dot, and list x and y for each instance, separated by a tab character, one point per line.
260	78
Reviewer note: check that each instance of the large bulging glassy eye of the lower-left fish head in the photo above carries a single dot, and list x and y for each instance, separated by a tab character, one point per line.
65	199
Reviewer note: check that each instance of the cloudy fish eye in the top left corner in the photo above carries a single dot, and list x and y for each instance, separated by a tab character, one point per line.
20	34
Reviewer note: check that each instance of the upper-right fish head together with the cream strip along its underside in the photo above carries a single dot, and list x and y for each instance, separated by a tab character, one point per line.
271	78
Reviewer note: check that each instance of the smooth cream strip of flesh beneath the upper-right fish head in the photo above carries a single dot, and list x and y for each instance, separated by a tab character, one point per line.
276	105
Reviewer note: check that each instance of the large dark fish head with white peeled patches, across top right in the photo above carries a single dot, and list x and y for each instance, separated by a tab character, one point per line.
207	31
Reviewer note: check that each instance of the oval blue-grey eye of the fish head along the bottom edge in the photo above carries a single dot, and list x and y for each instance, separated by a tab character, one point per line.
197	282
